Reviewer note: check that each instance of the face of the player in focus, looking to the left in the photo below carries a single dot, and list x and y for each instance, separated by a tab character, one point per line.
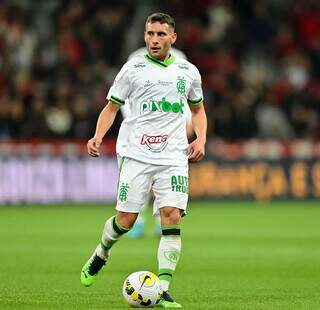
159	38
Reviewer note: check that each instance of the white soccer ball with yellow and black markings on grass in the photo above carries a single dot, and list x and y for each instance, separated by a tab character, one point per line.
142	289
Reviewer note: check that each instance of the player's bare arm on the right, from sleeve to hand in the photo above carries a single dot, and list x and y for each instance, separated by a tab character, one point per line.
196	149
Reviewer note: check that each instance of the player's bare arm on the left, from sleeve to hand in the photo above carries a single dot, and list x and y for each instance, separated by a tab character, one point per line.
105	121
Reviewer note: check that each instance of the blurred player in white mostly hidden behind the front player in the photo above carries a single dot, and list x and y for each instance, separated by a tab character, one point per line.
138	228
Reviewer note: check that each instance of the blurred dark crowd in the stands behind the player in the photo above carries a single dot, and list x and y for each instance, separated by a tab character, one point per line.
259	60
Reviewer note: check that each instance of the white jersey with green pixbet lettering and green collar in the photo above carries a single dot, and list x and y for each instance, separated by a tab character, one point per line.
157	93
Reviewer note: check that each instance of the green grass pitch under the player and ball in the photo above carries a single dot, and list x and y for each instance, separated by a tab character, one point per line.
239	255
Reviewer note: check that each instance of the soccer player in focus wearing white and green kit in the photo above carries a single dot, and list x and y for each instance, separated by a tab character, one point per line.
156	152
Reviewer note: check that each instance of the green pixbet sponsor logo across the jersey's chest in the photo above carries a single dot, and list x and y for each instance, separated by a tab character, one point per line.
161	106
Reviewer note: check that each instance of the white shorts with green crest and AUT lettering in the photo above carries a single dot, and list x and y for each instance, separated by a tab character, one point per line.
168	183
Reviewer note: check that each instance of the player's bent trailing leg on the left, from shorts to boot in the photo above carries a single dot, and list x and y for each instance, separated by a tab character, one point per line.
134	186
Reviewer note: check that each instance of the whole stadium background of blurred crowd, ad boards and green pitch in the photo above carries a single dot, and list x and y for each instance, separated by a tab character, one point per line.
258	186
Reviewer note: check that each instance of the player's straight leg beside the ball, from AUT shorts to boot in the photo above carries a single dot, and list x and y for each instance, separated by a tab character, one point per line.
171	196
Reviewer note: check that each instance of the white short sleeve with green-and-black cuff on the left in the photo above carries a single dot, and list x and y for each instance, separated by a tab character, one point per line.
120	88
